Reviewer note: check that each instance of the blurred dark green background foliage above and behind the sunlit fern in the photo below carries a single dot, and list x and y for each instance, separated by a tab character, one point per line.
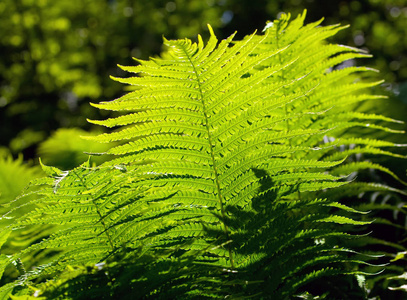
58	55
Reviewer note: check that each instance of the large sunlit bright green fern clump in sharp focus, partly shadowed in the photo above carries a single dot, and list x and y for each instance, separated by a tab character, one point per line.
216	189
